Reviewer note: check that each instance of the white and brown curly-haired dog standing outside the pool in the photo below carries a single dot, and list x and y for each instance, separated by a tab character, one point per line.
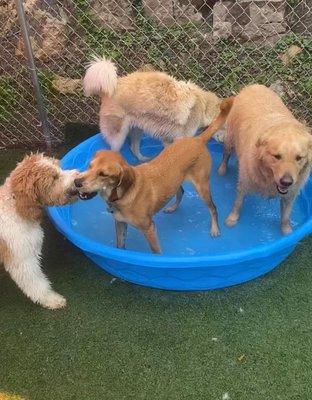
36	182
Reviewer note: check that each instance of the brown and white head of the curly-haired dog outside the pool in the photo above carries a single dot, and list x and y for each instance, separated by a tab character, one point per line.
39	181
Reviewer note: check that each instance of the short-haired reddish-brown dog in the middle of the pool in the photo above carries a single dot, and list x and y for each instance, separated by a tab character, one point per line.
135	194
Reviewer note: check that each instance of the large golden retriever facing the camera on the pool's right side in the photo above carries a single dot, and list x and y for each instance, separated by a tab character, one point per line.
273	148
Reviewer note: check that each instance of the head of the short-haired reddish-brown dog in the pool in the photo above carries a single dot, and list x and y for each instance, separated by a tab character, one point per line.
107	171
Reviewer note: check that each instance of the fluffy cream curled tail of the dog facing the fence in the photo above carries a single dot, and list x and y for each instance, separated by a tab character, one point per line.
100	78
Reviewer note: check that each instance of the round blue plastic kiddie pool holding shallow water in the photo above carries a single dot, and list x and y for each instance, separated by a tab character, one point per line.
191	259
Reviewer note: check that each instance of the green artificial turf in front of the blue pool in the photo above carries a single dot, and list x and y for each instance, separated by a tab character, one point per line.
117	341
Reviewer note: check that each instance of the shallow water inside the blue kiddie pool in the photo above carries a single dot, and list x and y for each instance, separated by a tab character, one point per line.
186	232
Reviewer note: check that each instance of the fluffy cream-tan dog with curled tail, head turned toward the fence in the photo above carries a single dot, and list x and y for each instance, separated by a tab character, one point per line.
147	100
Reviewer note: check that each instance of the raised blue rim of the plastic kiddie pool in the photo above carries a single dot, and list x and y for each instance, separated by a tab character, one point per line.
165	261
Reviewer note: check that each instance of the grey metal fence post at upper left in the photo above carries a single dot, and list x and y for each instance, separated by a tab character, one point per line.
34	77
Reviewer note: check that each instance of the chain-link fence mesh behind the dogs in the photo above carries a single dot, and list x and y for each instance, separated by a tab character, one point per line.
221	46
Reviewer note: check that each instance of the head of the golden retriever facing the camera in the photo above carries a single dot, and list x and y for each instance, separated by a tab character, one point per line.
286	153
